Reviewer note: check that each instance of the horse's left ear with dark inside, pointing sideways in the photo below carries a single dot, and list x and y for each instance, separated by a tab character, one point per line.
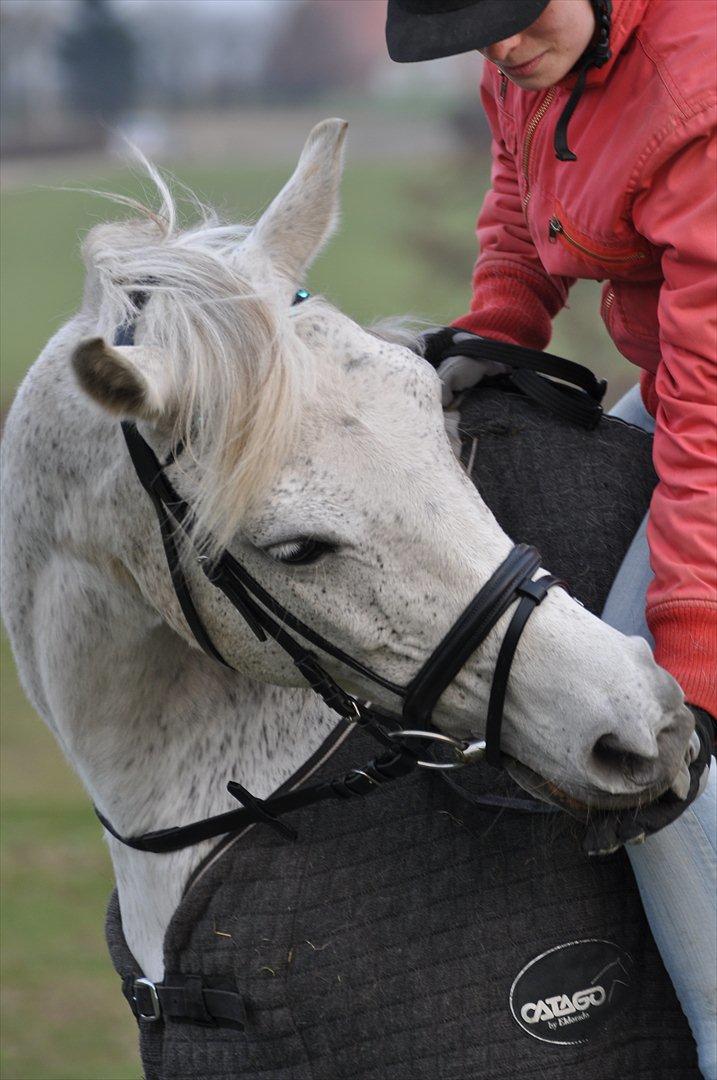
127	381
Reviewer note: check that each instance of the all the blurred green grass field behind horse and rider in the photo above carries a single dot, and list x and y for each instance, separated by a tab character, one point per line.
407	246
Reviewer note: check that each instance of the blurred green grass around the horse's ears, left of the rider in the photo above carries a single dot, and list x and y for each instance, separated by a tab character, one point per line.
371	269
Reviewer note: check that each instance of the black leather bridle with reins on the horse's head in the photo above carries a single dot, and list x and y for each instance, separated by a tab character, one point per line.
513	582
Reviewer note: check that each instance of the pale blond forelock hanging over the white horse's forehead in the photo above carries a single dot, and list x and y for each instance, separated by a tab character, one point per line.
240	372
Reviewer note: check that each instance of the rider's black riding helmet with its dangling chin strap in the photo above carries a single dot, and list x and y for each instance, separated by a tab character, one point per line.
428	30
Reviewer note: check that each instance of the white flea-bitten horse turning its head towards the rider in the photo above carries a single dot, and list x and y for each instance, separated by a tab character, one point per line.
317	452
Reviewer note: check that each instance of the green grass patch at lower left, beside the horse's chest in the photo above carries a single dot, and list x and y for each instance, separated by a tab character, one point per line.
63	1015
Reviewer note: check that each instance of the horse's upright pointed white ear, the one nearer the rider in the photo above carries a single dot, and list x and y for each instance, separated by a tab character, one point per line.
305	213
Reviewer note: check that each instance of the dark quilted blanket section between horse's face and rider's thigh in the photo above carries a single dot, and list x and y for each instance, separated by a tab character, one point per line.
578	496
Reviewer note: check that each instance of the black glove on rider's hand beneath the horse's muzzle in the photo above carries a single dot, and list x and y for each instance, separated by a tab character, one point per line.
607	831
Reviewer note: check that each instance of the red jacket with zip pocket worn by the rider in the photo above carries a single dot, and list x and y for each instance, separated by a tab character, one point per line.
638	211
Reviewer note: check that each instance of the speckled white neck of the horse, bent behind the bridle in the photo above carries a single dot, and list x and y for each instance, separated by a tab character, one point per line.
154	727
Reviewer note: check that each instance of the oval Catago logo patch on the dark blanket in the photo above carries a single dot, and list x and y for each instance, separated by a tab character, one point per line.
570	993
